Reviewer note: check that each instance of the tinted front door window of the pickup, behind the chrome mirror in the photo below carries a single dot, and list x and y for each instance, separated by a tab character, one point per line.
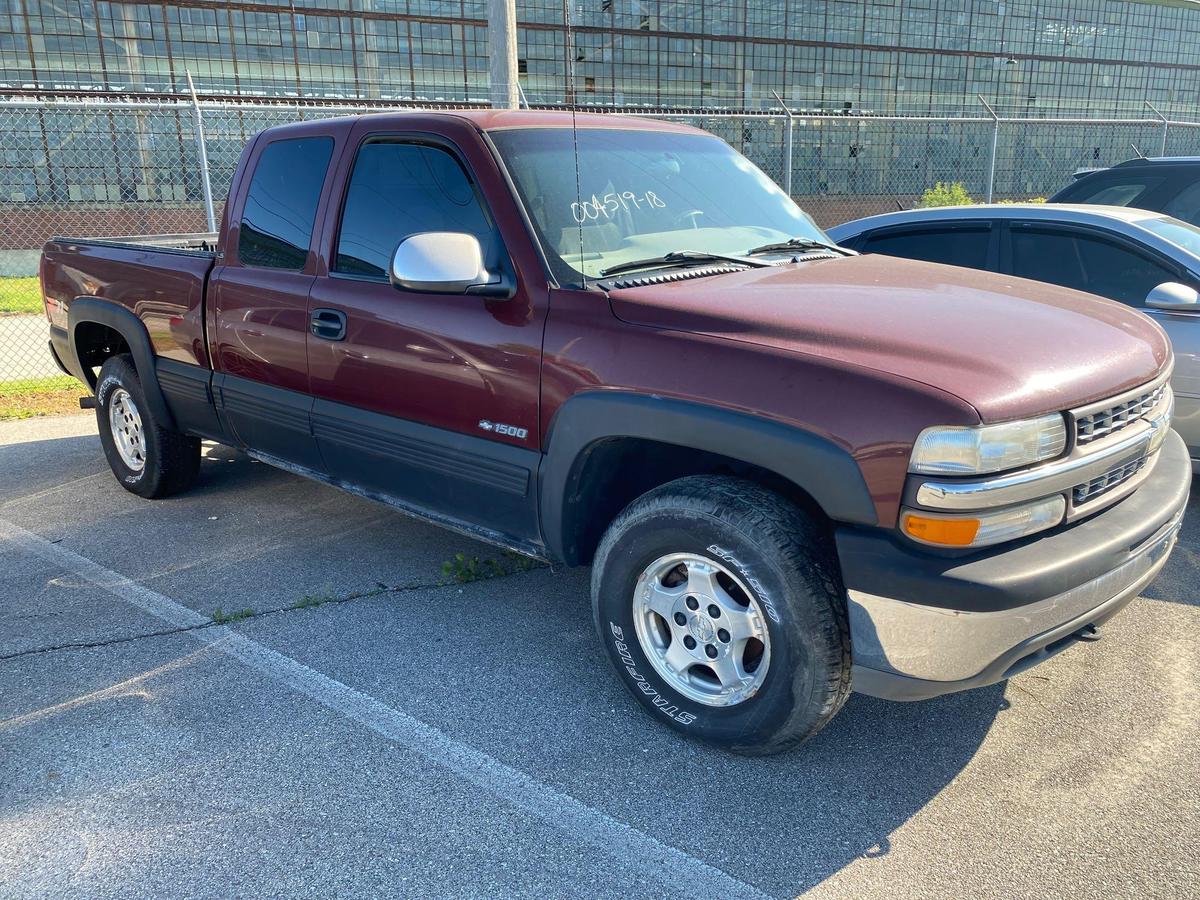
399	190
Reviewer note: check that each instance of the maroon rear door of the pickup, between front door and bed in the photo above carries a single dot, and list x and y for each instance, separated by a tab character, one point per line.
259	302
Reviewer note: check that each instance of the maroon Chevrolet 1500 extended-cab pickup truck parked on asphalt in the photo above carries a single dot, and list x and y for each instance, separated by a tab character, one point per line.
795	471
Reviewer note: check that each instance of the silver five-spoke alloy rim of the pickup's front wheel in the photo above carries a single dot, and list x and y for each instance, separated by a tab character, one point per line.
701	629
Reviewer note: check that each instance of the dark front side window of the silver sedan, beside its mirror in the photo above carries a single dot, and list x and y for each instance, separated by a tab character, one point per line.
1087	263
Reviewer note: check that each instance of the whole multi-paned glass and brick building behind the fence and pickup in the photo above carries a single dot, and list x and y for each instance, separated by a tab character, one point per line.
98	142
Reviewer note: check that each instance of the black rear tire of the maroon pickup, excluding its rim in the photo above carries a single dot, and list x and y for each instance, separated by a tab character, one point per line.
172	460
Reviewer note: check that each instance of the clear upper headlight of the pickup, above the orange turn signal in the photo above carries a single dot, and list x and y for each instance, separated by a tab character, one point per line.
956	451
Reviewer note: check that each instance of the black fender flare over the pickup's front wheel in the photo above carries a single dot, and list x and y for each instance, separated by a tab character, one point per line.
814	464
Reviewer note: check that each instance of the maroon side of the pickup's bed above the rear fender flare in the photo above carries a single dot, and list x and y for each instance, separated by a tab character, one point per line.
160	279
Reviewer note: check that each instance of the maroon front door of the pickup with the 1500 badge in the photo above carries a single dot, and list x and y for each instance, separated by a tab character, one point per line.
428	399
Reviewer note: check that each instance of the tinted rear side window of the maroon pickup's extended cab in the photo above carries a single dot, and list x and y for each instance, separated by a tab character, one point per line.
281	203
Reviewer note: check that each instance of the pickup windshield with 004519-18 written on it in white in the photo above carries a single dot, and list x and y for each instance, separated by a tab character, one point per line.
644	195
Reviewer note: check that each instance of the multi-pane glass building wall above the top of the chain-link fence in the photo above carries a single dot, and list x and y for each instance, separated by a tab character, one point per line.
872	56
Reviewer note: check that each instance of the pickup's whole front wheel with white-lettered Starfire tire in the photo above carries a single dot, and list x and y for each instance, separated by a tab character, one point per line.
722	608
